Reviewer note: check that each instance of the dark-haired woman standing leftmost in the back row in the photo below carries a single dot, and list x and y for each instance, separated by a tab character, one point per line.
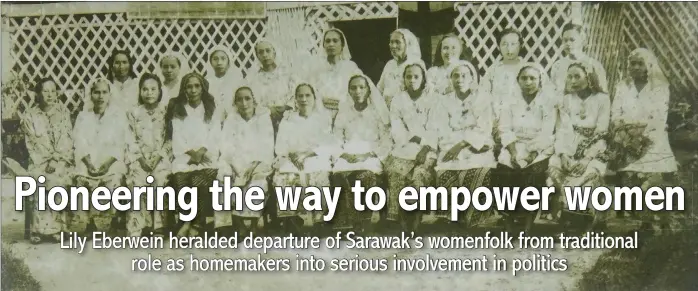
123	79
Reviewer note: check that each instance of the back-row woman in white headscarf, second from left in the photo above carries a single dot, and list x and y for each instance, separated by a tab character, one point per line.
171	67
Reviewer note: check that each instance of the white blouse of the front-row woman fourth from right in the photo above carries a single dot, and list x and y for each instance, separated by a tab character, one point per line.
469	120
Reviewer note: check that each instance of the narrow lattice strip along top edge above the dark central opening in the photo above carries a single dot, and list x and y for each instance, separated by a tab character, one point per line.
321	16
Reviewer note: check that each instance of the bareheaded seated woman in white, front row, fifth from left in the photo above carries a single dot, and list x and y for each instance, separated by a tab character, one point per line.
248	154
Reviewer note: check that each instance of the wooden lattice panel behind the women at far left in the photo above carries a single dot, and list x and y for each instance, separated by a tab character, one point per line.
73	49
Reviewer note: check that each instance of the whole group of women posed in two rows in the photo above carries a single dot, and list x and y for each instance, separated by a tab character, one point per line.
331	126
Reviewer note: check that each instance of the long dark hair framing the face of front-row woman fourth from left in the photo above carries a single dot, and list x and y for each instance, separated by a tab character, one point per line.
175	108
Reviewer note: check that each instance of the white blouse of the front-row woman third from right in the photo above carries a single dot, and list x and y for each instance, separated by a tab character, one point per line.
529	127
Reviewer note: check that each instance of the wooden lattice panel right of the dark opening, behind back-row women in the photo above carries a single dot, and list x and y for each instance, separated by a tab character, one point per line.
540	24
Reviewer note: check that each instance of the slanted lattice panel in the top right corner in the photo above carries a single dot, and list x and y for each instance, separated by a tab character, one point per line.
670	30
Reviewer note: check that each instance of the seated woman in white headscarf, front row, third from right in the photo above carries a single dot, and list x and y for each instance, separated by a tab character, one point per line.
526	126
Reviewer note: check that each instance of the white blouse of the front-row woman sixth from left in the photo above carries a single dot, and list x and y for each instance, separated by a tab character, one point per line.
311	133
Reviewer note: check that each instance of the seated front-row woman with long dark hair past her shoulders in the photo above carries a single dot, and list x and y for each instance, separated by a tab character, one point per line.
193	126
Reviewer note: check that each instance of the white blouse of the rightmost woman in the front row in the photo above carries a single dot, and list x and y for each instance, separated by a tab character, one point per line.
649	106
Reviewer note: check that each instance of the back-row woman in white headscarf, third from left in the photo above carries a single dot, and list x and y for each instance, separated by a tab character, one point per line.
223	76
